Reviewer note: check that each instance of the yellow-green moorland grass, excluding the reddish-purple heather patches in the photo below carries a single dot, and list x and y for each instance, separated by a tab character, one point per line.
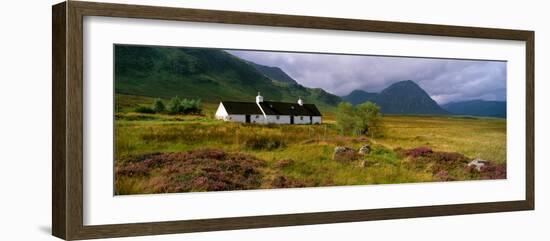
305	150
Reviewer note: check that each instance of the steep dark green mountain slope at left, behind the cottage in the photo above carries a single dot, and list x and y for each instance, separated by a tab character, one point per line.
209	74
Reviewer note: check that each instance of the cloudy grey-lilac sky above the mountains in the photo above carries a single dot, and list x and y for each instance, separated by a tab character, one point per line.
445	80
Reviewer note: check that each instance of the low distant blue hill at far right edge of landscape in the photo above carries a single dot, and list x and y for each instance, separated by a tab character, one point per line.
477	108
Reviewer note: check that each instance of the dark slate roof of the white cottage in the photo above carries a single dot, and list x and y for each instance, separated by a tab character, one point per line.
271	108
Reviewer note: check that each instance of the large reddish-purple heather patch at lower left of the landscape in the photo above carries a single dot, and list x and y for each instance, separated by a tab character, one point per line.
198	170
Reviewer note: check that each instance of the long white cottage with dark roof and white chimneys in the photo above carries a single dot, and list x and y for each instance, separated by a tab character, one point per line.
263	112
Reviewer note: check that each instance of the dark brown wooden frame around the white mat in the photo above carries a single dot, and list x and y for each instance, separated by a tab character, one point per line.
67	123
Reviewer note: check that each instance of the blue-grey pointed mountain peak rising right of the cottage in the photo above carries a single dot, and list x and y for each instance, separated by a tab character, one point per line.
403	97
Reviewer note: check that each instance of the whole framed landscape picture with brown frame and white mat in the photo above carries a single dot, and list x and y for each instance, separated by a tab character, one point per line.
171	120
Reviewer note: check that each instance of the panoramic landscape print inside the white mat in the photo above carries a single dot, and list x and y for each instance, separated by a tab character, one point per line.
192	119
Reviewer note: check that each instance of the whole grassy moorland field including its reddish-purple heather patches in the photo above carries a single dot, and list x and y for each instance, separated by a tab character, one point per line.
216	155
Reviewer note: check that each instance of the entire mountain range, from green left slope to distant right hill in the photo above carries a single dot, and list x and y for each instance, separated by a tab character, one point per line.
215	75
